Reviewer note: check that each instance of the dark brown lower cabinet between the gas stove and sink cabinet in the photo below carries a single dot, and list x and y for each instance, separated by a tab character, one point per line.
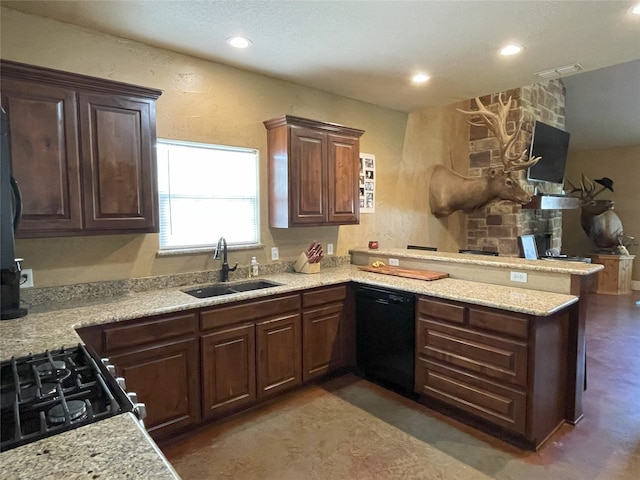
158	358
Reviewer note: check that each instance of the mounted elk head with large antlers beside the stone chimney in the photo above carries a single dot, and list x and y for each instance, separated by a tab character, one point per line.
449	191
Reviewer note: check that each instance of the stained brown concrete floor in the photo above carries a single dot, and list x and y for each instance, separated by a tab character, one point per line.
348	428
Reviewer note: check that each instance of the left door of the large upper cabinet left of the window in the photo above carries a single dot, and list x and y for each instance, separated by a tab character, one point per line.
45	160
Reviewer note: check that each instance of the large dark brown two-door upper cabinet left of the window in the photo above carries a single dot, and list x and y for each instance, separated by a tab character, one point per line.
83	152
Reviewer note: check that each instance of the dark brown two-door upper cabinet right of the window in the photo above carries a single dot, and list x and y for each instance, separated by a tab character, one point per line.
313	173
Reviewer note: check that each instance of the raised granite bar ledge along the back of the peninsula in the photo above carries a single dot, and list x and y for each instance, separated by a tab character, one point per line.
550	266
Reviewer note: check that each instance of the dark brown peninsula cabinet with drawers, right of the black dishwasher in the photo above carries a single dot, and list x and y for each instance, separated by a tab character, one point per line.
506	369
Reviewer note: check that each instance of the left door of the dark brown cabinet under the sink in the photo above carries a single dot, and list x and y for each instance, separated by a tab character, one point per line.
228	370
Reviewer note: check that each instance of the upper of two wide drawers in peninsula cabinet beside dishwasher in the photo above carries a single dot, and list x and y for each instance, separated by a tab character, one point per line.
483	353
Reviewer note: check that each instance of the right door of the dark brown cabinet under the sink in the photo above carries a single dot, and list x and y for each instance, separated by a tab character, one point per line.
279	361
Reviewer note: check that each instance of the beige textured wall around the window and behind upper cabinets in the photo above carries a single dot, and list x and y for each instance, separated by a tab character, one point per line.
207	102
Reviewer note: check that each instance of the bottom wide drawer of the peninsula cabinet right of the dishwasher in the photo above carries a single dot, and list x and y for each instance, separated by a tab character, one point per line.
499	405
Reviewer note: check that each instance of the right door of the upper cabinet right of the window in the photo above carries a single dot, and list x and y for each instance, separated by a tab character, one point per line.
343	185
